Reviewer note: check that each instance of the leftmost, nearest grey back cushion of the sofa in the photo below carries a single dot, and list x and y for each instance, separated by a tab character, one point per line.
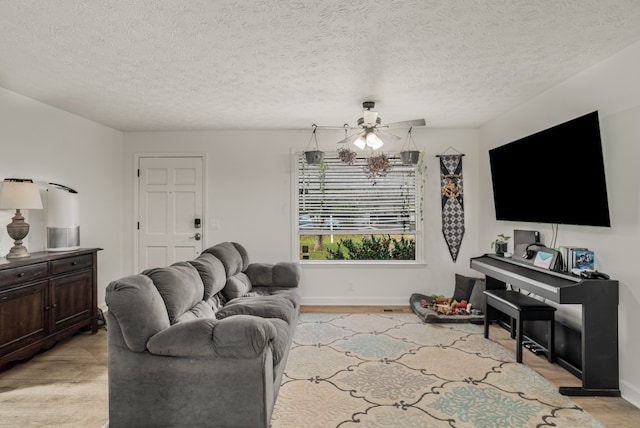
150	314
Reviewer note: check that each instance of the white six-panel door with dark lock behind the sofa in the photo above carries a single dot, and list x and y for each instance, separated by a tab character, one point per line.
170	195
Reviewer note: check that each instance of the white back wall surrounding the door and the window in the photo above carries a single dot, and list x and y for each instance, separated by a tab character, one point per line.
250	195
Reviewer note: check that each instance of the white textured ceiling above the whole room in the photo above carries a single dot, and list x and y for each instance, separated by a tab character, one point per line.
269	64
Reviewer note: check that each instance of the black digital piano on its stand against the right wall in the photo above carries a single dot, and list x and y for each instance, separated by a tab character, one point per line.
599	330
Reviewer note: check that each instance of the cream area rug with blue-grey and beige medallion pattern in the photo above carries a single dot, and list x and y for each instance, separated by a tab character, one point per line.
392	370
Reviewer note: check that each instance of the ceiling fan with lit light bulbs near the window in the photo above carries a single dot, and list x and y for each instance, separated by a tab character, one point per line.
370	128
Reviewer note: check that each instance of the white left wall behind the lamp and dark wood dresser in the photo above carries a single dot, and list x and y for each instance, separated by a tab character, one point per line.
50	145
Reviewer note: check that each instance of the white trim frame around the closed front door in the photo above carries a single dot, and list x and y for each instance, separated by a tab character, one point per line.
136	211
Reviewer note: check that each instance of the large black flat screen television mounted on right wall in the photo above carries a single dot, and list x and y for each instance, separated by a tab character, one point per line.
553	176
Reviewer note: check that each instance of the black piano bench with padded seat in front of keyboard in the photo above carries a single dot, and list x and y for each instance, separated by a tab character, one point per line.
520	308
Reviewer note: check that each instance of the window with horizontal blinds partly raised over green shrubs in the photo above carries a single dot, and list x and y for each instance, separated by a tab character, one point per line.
345	213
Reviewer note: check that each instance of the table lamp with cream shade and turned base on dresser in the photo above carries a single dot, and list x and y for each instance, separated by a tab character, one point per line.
19	194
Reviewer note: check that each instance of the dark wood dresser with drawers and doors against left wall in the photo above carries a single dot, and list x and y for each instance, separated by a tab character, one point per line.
46	298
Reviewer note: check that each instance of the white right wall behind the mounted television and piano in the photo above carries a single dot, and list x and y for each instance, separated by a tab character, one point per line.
612	88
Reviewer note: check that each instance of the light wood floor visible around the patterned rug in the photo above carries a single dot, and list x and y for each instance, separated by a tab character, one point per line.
66	386
